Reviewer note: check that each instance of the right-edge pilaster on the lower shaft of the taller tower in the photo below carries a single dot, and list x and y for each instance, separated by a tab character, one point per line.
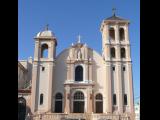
130	95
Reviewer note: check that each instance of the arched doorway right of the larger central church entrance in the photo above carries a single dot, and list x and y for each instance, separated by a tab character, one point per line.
99	103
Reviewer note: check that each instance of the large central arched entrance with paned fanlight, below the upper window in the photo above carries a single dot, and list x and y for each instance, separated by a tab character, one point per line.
78	102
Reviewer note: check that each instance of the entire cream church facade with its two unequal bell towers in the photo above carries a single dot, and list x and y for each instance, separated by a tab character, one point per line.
80	83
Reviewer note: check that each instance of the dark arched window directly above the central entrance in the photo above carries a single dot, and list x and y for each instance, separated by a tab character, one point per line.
79	73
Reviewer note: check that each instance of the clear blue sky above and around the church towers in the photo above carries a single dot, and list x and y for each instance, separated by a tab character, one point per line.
69	18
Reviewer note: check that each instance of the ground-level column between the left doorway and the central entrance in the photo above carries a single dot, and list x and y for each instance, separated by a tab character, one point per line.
67	99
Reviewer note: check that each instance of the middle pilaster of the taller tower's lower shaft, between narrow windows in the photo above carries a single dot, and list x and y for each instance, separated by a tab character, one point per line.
119	88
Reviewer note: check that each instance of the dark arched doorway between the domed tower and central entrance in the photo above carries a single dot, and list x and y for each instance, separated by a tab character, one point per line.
58	103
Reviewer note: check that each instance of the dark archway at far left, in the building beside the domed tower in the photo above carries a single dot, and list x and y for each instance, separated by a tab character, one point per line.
21	108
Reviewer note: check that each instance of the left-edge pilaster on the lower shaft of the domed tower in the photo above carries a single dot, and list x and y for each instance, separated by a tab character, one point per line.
33	90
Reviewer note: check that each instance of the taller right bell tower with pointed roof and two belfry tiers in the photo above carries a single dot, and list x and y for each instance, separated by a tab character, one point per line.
116	54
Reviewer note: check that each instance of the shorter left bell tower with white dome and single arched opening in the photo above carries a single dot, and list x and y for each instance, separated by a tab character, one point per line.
43	71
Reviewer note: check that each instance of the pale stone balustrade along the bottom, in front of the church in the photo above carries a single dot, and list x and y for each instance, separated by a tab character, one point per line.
74	116
